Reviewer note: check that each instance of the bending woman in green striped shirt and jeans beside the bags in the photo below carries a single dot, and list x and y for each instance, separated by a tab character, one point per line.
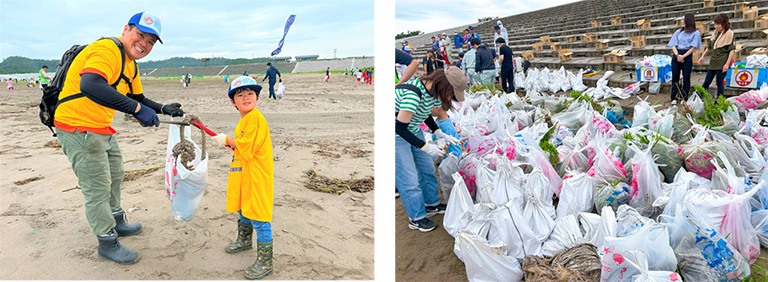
414	169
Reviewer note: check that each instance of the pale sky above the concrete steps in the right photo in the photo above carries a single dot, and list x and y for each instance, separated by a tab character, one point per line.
428	15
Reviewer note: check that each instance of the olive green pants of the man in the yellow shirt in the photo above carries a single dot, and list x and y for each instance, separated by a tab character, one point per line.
98	165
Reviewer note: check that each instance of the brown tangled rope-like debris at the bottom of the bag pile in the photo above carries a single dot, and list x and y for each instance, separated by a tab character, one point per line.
579	263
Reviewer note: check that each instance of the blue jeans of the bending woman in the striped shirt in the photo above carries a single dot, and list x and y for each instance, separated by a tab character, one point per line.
415	178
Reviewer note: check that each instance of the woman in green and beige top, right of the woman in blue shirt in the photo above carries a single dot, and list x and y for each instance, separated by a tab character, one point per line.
723	51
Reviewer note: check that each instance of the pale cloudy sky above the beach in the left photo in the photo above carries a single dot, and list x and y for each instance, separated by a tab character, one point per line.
44	29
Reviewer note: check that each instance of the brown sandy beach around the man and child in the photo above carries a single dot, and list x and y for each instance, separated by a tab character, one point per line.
323	126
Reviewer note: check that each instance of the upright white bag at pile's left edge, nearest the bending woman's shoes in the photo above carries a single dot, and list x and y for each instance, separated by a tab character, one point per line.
458	204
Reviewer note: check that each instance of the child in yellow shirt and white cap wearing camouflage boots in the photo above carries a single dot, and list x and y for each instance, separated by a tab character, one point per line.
250	190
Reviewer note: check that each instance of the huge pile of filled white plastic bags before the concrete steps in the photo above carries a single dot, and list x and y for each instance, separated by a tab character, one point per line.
665	194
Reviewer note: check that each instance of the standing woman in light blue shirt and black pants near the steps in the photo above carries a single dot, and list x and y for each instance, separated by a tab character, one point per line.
684	42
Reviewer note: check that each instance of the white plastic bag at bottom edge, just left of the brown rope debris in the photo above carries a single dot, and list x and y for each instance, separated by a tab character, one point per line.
486	261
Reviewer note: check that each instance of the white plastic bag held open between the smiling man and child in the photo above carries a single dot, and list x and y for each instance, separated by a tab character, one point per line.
184	187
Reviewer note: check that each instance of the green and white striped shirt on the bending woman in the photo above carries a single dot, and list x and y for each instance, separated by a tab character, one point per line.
406	100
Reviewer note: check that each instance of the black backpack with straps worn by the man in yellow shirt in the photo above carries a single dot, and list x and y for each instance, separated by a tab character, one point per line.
50	99
